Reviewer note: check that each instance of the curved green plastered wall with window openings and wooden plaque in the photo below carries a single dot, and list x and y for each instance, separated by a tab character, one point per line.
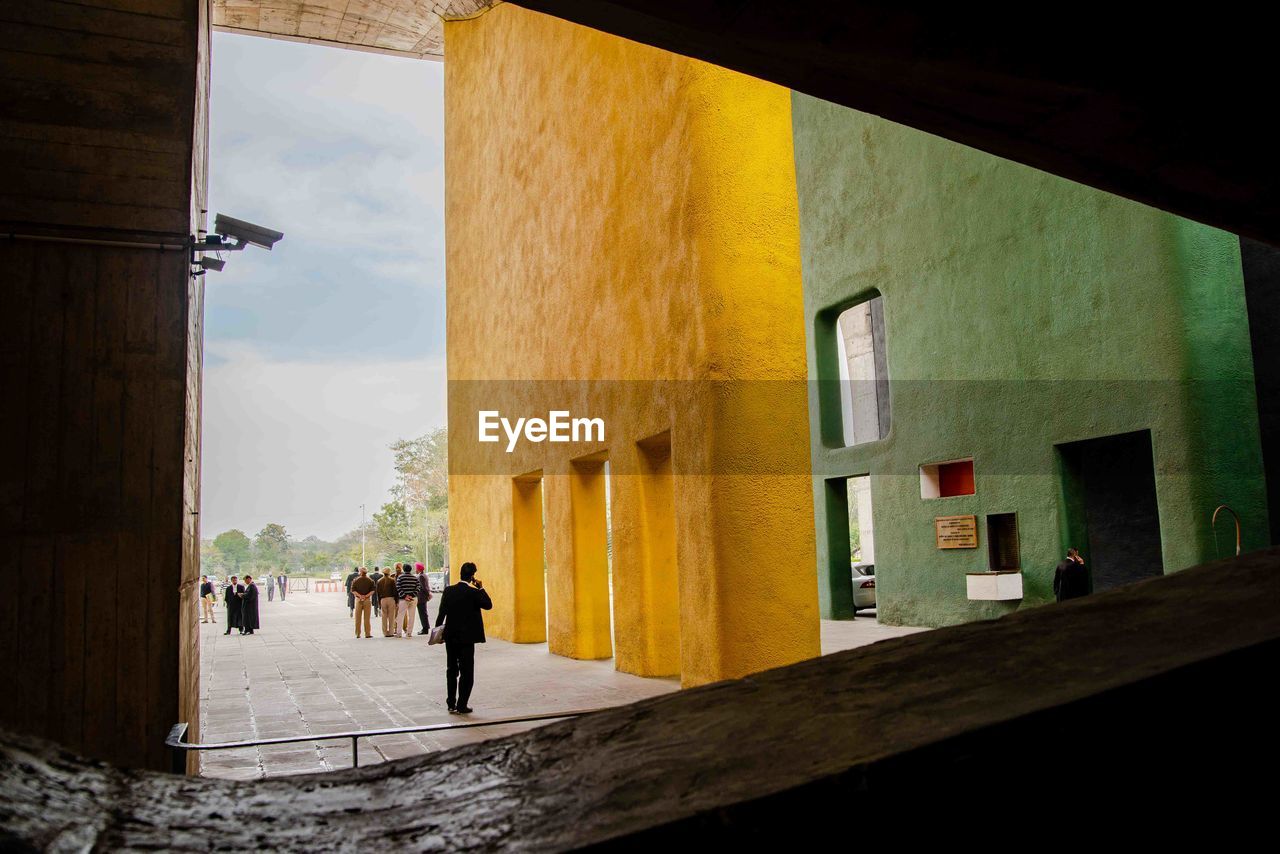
1021	312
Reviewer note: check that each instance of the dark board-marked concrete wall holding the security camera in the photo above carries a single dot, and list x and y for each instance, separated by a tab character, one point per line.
100	368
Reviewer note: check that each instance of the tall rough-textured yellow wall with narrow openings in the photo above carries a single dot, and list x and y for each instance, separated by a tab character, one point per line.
624	244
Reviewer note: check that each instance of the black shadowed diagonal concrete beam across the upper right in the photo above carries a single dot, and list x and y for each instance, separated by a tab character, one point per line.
1162	108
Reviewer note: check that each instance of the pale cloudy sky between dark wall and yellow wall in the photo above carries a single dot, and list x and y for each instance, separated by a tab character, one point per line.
324	351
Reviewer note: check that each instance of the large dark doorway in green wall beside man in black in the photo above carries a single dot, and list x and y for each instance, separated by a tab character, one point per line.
1113	518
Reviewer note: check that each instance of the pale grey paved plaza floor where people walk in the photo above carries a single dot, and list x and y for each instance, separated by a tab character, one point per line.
307	673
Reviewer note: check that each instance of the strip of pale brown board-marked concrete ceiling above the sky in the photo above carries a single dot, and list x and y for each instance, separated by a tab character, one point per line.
401	28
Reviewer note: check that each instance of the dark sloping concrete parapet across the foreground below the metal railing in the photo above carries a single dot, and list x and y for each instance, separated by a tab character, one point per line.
989	724
